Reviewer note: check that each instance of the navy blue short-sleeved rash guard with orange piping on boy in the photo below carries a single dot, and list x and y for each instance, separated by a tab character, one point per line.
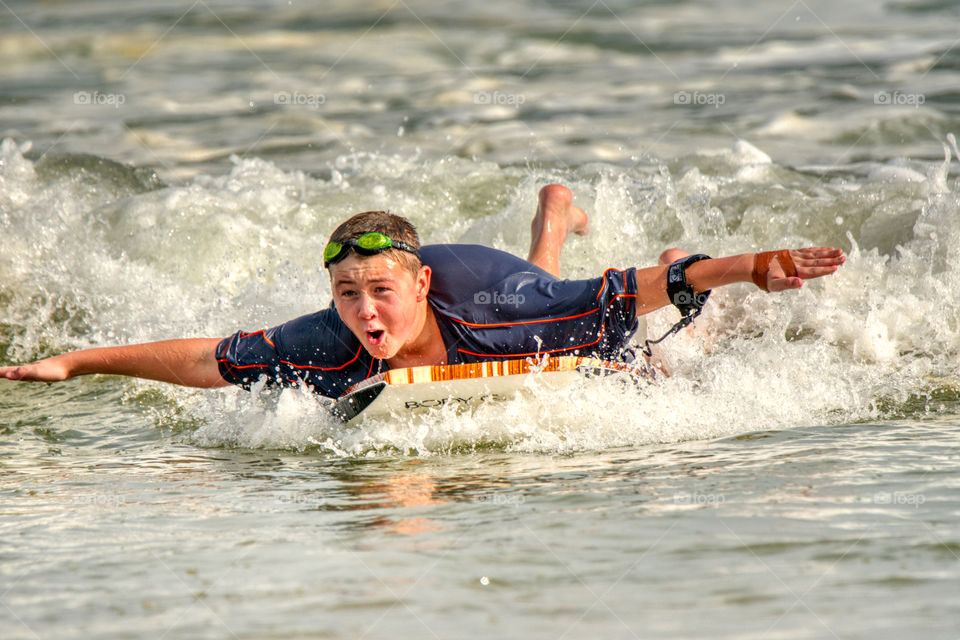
488	304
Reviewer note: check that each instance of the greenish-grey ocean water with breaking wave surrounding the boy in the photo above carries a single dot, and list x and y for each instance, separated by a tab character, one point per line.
174	170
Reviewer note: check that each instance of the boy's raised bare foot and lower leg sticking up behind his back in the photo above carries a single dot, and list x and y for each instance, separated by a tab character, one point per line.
556	217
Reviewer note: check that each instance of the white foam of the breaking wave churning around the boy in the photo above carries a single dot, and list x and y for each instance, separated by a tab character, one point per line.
81	267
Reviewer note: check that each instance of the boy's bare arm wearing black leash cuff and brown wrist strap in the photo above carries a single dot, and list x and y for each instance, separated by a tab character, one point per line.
812	262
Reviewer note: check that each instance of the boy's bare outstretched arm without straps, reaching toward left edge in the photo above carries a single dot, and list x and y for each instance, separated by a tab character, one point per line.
190	362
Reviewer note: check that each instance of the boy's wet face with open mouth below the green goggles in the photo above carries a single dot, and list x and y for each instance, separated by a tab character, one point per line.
380	301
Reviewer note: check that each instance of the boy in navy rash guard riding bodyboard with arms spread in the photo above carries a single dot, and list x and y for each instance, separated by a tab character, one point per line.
396	304
